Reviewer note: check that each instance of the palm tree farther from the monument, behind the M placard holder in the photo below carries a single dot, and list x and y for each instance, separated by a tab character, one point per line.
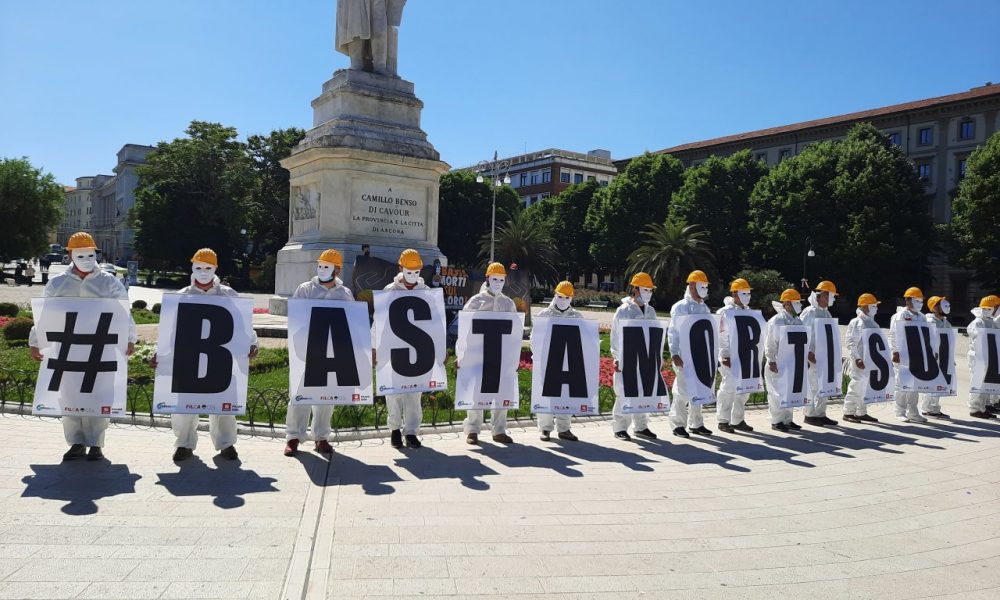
671	249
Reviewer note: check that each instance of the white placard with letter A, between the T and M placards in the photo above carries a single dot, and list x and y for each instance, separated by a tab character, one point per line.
566	355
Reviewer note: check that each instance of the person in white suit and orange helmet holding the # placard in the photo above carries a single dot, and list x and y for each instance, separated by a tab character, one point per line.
83	280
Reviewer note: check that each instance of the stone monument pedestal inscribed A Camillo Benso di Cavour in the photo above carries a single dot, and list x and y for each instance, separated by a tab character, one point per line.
364	175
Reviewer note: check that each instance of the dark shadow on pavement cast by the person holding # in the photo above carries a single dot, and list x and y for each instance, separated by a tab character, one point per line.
79	483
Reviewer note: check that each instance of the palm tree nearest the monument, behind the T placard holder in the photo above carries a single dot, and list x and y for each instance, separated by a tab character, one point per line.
524	240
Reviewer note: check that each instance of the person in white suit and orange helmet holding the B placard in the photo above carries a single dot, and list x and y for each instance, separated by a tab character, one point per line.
222	428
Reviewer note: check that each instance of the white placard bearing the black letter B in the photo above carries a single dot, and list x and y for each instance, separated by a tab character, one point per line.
202	355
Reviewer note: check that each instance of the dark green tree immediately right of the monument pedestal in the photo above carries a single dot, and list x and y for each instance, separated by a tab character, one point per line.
465	215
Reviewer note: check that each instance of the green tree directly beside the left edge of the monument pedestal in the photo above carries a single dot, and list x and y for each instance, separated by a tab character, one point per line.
267	205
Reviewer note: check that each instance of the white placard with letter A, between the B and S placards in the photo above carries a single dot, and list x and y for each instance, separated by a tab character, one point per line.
330	352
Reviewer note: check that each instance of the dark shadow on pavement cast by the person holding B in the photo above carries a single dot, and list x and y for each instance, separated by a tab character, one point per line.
227	483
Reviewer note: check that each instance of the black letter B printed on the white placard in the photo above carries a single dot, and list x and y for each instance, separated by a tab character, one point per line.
189	346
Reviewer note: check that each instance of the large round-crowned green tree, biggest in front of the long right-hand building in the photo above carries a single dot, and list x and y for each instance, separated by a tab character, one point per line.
858	203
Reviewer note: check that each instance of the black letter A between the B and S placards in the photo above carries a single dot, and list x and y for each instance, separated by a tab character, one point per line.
327	324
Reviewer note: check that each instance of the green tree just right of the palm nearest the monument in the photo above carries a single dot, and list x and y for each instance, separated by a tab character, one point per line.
565	216
